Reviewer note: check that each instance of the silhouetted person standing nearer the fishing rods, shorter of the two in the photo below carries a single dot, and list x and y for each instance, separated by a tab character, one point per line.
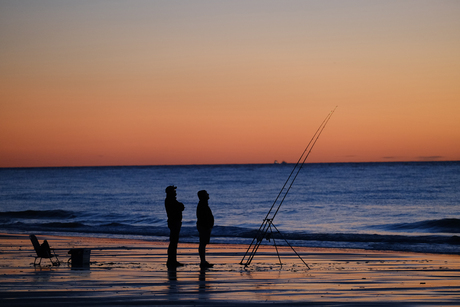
204	224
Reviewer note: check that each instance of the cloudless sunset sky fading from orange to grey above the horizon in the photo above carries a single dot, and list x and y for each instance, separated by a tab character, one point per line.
86	83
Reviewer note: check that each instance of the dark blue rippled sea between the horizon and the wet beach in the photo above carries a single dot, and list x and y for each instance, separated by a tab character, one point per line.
382	206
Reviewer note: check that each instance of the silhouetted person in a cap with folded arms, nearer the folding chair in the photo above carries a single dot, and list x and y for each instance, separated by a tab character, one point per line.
174	211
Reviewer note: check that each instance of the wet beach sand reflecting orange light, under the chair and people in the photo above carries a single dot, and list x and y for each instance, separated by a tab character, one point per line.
133	272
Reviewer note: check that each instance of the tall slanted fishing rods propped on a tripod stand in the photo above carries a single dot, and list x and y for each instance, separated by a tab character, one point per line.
267	223
